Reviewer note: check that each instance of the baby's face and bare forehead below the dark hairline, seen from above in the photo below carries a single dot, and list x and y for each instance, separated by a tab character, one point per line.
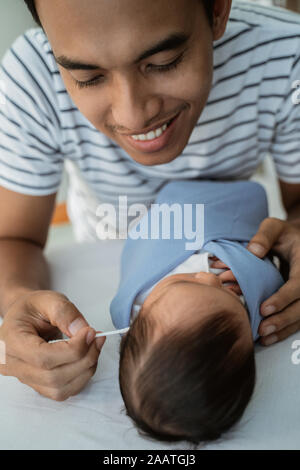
185	297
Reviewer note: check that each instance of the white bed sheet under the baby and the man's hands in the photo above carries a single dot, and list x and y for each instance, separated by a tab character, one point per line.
88	274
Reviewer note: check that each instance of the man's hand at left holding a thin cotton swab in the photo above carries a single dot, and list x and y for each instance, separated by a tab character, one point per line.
55	370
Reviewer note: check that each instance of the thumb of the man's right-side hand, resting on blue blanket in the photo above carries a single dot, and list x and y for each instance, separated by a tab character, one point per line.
268	233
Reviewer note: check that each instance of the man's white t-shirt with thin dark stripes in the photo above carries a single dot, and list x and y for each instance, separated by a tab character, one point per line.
250	112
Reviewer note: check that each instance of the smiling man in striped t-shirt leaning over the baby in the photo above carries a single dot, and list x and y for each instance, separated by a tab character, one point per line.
133	94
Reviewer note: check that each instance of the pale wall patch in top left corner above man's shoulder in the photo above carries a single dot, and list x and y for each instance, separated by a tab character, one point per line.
14	20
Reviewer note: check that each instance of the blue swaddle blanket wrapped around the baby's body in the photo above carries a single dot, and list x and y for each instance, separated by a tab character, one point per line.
233	212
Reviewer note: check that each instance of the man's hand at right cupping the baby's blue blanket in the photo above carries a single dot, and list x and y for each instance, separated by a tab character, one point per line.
282	309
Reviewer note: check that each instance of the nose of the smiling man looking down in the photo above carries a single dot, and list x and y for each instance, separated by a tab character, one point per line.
133	108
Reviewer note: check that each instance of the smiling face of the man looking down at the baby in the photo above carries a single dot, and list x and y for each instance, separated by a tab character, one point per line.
100	46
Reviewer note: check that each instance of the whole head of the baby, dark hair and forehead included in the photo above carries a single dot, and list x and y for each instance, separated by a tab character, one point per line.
187	369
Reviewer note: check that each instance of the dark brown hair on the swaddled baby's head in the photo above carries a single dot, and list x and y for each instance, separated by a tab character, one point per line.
192	384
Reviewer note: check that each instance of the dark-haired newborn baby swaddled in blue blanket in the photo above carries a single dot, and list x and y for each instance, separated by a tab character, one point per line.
187	368
